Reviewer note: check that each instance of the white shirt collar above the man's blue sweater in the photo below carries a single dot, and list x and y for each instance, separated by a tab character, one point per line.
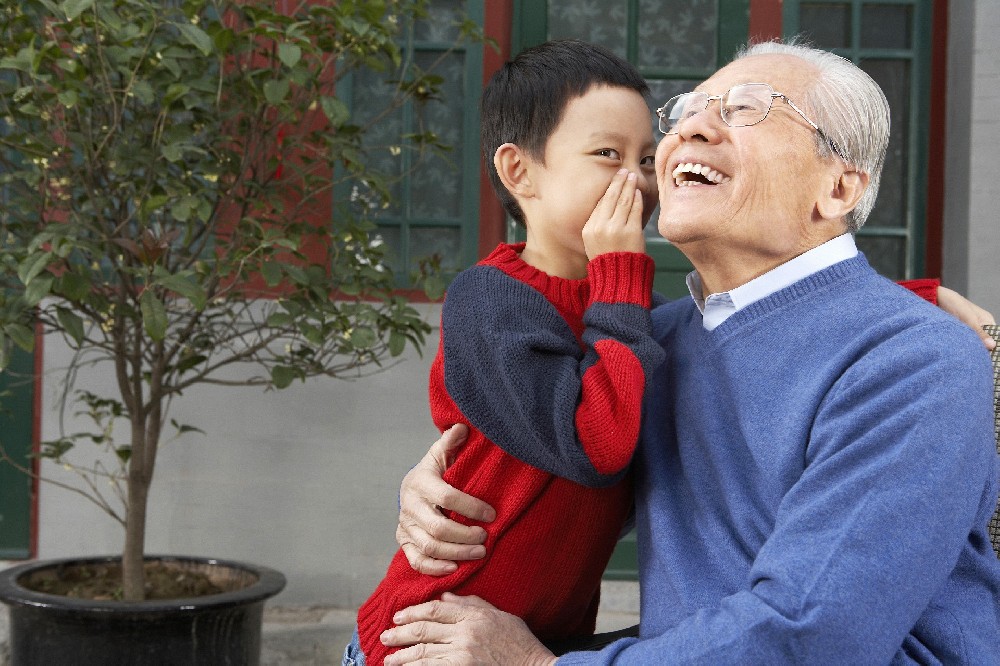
717	308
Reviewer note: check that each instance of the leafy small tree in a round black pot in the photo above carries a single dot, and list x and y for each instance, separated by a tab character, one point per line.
153	216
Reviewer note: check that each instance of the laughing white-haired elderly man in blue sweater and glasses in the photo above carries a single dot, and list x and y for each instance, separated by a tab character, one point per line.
817	466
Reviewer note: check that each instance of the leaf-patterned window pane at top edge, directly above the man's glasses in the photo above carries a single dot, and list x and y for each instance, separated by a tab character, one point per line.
678	33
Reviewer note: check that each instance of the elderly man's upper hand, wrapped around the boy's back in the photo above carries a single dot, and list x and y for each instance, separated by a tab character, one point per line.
431	542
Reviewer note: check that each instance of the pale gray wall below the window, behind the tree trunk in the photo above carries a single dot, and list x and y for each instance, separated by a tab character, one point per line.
304	480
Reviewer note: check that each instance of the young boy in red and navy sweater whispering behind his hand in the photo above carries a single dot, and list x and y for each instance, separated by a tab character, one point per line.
545	346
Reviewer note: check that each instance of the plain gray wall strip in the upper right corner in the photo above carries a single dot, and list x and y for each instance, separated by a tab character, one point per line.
972	175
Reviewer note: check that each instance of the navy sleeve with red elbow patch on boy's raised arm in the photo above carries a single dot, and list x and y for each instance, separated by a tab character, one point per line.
517	372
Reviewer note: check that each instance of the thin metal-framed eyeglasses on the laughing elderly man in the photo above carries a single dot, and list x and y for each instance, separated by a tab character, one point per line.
743	105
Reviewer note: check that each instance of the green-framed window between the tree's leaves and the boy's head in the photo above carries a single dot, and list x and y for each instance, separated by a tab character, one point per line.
435	209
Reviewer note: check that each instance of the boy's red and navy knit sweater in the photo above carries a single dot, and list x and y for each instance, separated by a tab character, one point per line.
549	375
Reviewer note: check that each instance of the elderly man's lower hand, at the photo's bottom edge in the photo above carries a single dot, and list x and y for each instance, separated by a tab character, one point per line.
462	630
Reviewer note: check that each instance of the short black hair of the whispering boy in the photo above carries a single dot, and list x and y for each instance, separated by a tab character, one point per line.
524	100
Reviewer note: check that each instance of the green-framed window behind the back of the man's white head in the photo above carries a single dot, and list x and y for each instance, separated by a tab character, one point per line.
891	40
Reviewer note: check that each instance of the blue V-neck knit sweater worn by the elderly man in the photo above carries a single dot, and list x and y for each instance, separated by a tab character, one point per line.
813	484
